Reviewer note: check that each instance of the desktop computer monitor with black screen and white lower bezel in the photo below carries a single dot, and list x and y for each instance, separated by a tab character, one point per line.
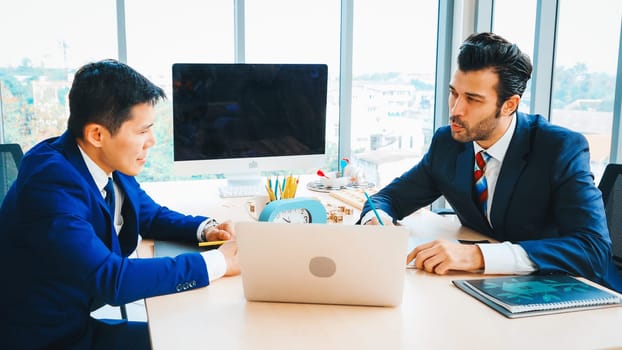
247	118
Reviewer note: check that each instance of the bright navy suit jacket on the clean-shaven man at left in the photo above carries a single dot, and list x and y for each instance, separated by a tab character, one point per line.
61	258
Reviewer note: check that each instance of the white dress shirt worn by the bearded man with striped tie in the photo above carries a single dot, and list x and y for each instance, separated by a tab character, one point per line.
499	258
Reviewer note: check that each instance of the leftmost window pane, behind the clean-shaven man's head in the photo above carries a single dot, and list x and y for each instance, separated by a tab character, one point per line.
37	65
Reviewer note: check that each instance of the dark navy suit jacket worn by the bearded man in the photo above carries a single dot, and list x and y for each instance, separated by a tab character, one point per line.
545	199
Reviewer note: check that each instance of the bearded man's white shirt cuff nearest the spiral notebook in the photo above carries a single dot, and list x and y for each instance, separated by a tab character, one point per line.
506	258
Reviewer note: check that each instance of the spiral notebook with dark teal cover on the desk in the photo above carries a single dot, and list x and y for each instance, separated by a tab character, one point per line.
521	296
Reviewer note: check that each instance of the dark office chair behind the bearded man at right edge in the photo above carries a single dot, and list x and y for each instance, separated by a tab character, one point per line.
611	187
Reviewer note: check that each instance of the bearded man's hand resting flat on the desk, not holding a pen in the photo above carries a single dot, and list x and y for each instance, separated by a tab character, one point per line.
441	256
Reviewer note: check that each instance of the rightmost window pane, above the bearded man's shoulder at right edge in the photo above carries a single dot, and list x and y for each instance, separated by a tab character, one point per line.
585	73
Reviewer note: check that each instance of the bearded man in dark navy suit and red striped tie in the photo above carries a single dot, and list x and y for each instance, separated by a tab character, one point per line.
532	189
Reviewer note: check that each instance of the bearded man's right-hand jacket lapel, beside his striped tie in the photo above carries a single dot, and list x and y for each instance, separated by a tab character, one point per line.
511	170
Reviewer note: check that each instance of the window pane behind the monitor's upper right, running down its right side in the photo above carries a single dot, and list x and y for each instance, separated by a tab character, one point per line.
284	31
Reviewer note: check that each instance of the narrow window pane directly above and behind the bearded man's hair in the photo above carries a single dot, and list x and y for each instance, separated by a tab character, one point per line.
517	24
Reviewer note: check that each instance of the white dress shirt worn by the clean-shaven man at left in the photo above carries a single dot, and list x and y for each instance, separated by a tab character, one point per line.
214	259
